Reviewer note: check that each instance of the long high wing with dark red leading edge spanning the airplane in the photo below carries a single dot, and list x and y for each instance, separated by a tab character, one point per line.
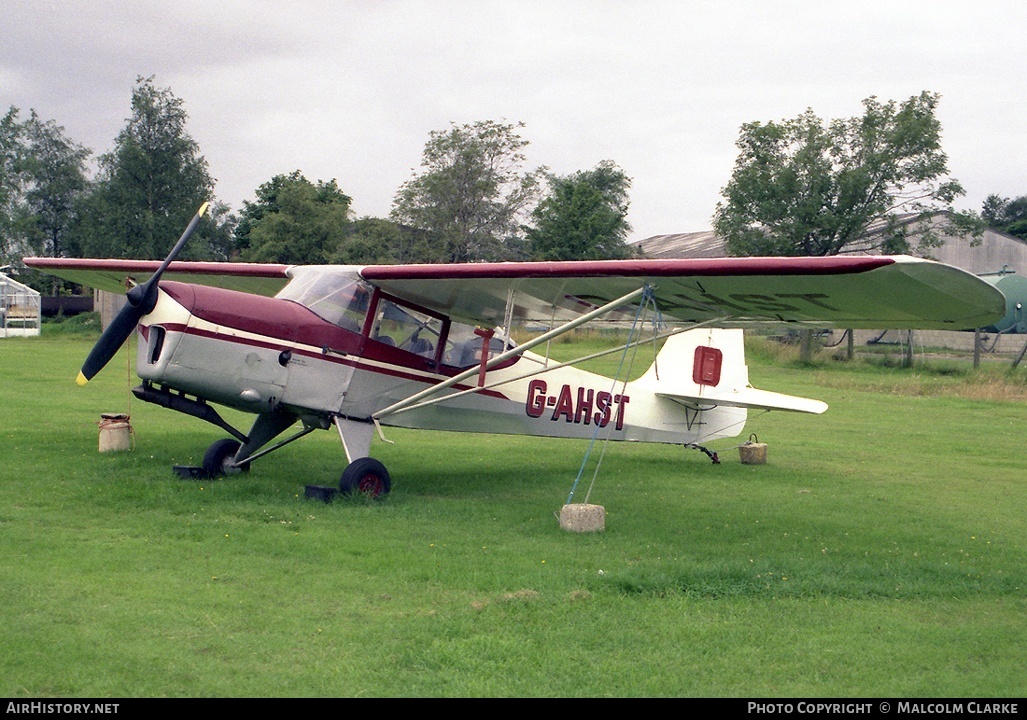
879	292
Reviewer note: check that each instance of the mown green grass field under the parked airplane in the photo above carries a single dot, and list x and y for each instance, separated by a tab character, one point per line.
883	552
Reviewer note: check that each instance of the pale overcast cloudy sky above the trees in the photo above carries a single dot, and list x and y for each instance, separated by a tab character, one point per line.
351	90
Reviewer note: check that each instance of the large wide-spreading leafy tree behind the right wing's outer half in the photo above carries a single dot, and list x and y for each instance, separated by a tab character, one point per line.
807	187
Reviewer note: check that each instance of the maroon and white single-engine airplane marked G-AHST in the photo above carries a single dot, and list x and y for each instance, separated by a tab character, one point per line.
429	347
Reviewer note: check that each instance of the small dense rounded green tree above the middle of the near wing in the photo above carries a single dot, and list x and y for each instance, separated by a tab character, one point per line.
584	217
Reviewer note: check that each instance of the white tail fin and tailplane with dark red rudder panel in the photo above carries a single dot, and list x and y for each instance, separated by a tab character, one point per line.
707	367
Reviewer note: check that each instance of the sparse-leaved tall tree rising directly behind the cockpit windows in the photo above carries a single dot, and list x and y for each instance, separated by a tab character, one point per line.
471	195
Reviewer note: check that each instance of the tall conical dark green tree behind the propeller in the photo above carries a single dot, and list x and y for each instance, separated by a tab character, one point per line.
149	186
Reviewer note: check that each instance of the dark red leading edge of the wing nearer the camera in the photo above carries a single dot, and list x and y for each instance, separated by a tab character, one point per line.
632	269
